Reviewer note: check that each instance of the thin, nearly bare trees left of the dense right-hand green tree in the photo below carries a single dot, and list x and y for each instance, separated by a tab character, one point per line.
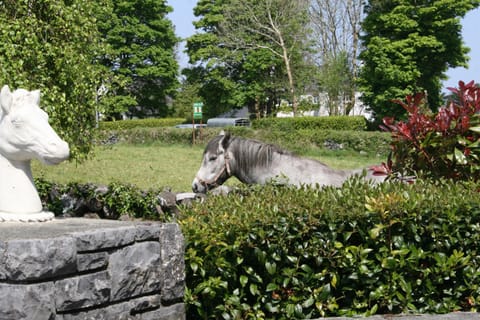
336	29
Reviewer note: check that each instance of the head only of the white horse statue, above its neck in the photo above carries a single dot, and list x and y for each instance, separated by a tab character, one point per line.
24	129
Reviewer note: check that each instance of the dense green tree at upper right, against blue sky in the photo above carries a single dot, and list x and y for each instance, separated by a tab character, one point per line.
408	47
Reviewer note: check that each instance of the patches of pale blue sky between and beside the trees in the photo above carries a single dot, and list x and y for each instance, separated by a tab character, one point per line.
182	18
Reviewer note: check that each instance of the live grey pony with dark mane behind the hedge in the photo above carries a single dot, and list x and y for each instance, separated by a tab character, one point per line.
255	162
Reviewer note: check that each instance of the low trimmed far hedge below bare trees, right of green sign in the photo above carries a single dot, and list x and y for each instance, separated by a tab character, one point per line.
356	123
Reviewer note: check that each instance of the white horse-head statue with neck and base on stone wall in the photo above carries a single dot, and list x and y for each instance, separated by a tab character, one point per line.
24	135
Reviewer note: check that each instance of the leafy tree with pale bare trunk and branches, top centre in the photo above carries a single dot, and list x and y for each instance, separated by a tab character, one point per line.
278	26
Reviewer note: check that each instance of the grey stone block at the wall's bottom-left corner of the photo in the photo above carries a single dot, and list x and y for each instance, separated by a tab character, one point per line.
27	302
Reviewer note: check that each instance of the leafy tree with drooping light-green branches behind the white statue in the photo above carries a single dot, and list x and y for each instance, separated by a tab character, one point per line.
51	45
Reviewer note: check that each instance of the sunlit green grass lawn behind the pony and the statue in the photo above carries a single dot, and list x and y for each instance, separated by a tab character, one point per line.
158	166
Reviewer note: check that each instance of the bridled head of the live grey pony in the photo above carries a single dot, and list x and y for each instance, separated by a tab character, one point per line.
215	168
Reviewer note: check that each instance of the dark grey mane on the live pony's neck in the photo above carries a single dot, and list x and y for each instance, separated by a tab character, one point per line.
250	153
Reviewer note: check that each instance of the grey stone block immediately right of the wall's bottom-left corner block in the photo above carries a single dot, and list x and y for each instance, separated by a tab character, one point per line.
82	291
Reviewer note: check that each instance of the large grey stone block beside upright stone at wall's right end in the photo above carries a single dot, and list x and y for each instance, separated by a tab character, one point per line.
135	270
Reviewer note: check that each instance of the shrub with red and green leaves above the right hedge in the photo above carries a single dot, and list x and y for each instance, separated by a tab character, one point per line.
442	144
